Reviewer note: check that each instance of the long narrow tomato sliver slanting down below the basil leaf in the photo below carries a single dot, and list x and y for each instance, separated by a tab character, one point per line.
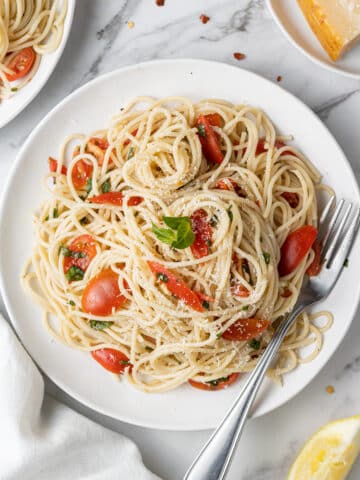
176	286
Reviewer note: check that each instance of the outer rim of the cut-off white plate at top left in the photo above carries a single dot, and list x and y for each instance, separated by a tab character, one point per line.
59	52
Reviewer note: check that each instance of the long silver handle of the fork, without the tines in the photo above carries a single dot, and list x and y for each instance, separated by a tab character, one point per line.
213	461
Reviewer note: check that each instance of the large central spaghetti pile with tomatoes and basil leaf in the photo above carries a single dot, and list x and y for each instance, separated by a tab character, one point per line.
193	244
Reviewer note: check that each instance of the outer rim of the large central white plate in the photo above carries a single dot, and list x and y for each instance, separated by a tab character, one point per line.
6	192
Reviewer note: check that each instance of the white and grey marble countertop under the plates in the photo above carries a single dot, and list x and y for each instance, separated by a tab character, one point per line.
101	41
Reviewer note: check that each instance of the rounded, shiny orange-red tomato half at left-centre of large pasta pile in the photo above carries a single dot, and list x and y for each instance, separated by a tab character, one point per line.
102	294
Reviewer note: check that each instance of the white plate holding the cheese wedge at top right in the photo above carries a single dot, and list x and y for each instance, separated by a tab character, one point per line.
293	24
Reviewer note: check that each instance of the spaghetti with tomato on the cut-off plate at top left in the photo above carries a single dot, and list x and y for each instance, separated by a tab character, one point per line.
29	29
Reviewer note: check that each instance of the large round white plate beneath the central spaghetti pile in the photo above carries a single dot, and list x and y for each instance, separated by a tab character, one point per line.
89	109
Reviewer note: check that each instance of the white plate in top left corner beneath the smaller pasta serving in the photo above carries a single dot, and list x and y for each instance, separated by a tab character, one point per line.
11	107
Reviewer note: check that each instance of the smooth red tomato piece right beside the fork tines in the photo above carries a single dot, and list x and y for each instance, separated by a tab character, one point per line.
295	248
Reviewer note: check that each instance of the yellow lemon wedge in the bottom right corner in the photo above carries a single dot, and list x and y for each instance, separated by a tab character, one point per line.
330	453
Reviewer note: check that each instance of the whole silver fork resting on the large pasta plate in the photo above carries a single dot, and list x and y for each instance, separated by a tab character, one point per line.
337	231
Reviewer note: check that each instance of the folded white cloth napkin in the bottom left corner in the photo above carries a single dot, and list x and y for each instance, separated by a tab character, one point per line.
42	439
